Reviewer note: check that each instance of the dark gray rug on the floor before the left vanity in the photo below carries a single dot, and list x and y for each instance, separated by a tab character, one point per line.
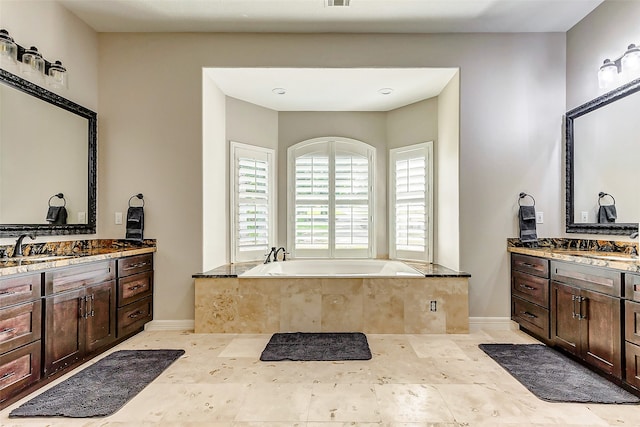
102	388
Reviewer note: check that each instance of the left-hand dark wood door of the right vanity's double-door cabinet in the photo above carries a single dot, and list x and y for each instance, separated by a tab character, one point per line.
565	324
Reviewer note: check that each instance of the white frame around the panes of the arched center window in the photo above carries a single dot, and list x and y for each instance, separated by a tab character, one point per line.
329	145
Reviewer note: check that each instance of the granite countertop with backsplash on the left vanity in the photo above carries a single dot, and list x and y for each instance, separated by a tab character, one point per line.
43	256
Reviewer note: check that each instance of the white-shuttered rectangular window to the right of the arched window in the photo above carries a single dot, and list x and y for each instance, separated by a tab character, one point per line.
411	207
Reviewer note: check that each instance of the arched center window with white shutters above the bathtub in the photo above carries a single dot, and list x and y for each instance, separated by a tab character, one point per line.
331	198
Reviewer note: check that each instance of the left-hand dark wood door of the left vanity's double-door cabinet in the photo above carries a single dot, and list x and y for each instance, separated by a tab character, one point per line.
64	329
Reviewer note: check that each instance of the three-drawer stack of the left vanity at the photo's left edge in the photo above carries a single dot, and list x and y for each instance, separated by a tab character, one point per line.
20	333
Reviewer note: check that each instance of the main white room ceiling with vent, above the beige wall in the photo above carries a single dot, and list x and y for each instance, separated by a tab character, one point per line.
313	16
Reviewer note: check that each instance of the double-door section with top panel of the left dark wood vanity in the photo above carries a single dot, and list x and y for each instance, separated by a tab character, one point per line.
79	313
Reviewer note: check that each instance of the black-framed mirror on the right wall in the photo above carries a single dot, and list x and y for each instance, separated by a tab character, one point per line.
602	152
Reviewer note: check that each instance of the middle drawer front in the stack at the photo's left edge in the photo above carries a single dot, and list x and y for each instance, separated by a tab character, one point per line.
19	325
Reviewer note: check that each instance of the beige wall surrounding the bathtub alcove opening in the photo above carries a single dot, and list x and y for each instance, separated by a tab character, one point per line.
512	100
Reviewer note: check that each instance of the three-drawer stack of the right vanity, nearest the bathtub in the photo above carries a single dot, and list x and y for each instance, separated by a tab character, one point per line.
530	294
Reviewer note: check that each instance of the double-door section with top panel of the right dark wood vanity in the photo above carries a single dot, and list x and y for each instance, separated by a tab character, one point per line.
586	314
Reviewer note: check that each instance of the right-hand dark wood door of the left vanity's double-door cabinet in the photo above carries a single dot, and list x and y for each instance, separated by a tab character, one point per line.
100	315
